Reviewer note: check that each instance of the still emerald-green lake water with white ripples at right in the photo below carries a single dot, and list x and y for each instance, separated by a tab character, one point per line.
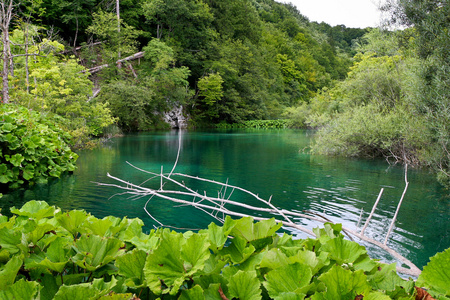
269	163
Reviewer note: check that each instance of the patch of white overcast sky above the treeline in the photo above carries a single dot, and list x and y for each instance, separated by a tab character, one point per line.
351	13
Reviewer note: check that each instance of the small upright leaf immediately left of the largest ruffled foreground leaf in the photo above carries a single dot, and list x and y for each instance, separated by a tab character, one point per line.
131	266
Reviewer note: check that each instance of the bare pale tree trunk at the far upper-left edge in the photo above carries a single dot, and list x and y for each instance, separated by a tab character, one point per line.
6	13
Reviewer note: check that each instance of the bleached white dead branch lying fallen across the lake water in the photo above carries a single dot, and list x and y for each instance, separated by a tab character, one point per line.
222	204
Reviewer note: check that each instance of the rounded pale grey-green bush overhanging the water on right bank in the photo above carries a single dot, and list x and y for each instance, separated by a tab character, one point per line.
372	132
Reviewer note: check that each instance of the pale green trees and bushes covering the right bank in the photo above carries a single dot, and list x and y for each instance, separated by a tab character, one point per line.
394	102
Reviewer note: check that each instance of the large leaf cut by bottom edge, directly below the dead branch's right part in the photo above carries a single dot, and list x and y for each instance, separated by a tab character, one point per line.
342	284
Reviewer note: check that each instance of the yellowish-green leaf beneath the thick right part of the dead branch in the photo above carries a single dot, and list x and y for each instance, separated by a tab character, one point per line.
343	251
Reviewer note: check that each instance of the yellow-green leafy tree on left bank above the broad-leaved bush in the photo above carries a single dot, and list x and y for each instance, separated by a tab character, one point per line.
61	86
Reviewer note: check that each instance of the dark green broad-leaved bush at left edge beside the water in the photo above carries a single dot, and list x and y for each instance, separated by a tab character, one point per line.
33	147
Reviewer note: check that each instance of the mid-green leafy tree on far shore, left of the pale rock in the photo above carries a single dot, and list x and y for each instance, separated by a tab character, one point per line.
140	103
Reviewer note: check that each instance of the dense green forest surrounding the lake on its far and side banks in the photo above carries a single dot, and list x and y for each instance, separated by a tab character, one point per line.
90	68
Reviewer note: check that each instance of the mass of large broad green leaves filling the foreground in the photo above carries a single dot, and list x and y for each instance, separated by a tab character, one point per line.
49	254
